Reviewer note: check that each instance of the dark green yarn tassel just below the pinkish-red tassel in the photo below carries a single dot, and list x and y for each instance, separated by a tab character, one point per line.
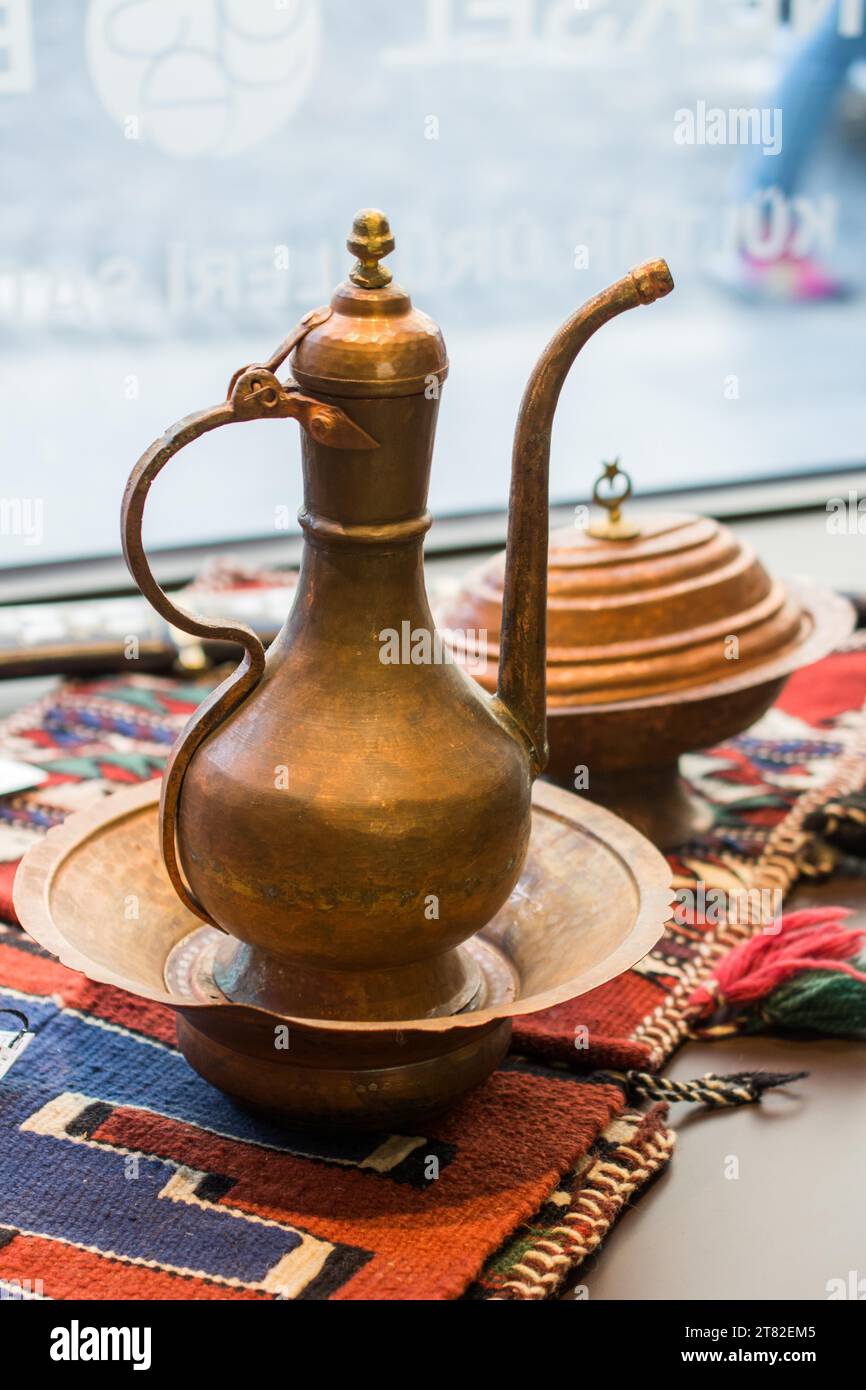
821	1001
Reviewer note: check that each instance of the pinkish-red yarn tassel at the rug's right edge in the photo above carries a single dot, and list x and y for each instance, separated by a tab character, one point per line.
808	940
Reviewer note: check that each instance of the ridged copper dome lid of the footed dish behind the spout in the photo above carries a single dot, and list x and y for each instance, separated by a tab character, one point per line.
639	614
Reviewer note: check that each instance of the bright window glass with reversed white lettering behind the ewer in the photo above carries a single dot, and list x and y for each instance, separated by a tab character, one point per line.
180	179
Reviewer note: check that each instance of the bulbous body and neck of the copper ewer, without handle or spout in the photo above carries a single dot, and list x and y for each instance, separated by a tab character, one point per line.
361	815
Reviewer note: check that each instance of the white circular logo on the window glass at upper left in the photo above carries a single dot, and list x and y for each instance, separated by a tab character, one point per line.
202	77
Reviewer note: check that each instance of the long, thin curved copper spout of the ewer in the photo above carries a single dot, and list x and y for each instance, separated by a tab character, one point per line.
525	614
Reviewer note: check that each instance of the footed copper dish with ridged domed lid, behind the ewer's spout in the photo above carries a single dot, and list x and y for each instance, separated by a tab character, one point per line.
658	646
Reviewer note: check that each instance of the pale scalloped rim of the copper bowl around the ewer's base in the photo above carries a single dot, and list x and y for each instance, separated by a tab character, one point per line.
642	861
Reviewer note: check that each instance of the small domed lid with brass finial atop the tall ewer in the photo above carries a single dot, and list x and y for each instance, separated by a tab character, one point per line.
375	343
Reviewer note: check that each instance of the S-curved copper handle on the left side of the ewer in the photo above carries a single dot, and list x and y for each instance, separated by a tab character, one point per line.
255	394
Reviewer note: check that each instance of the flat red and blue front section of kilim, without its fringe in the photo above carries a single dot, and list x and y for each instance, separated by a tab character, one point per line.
124	1175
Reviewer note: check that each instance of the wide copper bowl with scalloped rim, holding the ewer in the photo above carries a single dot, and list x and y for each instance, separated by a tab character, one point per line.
593	900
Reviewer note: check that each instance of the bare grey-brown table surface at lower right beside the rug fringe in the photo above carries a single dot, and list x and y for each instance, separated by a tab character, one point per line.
796	1216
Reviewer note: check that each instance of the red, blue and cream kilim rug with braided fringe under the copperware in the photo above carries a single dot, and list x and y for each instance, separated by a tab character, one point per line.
124	1177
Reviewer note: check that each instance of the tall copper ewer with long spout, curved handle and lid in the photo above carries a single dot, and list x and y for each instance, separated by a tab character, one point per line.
350	822
